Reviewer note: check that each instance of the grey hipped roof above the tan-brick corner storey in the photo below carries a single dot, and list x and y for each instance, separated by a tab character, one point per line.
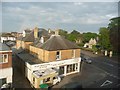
58	43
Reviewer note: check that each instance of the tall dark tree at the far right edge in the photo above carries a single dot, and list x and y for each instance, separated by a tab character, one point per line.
114	28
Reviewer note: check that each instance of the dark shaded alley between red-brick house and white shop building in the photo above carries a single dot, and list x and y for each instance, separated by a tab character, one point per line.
19	81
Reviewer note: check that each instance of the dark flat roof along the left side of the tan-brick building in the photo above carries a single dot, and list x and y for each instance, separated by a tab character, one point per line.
26	57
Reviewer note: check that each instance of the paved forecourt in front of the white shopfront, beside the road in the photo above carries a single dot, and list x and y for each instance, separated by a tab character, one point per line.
86	77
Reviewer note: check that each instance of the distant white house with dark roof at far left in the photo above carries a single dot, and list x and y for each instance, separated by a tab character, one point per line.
7	37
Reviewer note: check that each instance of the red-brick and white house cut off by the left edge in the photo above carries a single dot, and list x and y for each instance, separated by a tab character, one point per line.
5	64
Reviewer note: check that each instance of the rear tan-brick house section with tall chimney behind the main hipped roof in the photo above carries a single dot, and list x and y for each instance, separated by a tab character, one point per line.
38	34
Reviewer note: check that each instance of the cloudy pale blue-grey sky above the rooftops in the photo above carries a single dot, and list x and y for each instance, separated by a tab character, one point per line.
80	16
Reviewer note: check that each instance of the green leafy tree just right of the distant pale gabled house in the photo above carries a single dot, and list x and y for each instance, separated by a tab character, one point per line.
104	39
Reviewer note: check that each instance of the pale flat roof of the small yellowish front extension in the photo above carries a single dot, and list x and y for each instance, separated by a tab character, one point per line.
42	73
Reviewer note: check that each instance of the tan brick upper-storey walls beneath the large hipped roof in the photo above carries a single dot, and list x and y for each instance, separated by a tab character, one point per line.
48	56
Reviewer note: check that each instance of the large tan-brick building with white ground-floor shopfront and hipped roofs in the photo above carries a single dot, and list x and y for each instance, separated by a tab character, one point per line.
42	50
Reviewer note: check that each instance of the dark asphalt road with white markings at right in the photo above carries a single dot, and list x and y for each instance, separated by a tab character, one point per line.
111	69
